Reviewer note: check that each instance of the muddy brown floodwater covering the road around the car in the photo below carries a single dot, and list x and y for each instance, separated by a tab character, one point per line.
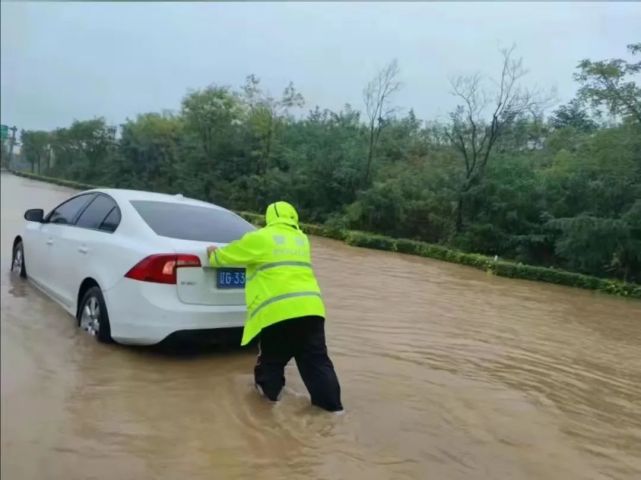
447	373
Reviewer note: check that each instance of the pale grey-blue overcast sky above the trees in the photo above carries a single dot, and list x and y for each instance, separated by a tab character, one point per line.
66	61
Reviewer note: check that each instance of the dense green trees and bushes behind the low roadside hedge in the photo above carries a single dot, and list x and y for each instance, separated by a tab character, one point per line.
501	179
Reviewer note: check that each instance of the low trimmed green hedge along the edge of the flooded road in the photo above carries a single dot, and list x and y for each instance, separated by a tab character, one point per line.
412	247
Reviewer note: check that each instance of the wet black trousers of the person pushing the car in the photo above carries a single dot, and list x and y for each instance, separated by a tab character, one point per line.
304	340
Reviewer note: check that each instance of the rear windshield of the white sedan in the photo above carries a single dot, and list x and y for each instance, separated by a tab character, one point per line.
191	222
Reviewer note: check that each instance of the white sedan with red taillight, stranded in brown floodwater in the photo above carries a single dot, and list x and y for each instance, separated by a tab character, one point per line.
131	266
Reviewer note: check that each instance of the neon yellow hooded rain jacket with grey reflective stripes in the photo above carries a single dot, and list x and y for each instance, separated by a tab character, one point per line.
280	282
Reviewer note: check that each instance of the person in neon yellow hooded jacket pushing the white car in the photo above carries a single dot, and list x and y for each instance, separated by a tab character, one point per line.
285	309
